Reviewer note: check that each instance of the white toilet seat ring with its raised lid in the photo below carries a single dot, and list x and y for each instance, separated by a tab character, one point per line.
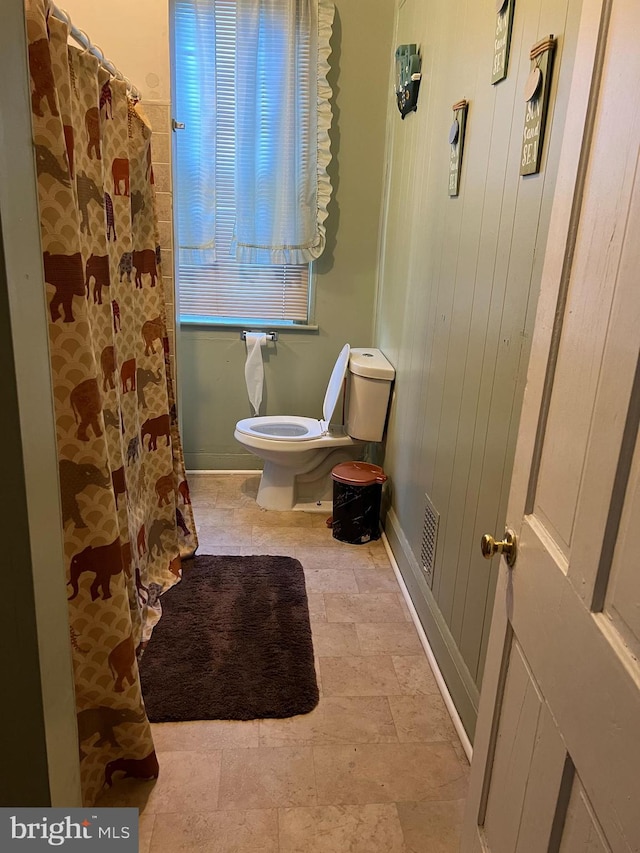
292	428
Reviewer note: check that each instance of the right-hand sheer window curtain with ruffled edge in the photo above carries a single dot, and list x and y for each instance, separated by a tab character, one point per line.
283	115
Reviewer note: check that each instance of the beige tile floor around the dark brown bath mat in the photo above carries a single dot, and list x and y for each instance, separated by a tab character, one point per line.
375	768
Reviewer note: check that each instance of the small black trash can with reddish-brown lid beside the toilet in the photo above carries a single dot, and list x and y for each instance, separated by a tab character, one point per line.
357	490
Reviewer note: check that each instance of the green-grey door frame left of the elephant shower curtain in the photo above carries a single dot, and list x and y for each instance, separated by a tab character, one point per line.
36	548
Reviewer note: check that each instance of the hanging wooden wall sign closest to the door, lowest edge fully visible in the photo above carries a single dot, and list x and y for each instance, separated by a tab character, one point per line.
536	93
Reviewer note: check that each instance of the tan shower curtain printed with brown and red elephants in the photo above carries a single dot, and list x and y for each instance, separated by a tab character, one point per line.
125	500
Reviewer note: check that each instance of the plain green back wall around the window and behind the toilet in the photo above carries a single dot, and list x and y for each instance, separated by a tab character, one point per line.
211	361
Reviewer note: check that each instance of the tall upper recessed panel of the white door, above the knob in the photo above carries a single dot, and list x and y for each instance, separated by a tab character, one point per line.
590	326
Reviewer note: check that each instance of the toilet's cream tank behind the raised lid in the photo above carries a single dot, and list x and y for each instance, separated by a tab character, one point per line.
370	379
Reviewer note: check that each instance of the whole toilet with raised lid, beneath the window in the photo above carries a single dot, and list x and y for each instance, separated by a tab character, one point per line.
299	453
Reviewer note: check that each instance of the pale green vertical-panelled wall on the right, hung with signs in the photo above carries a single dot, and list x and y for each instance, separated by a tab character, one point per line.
458	292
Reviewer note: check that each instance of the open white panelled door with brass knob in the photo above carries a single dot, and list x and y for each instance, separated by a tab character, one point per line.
556	763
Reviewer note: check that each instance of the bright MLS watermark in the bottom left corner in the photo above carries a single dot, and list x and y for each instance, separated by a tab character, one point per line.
69	829
